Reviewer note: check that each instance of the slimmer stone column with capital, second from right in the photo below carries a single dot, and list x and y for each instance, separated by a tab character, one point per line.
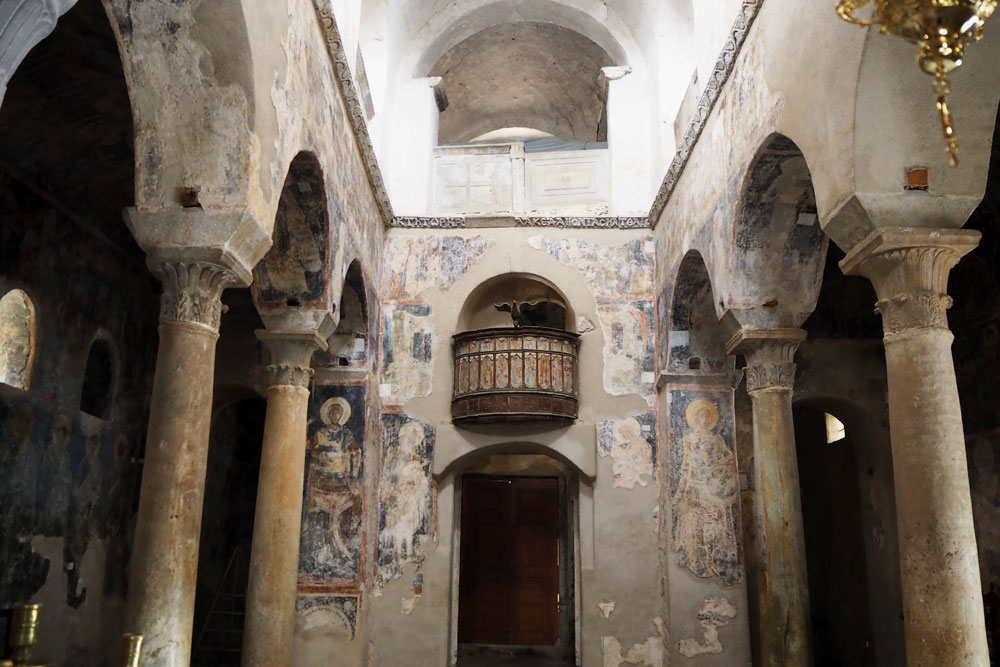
783	588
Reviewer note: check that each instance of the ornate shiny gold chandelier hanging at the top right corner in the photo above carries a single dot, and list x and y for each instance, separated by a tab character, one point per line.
942	29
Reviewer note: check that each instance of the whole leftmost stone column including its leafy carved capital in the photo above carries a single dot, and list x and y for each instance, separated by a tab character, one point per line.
164	565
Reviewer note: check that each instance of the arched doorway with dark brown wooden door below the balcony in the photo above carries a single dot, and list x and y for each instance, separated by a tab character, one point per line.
517	560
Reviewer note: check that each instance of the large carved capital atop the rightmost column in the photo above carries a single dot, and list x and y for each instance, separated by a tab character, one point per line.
909	268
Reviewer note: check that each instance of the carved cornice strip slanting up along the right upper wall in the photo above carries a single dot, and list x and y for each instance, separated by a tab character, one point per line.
720	74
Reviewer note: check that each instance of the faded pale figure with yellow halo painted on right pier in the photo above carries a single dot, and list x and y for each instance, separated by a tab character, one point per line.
705	499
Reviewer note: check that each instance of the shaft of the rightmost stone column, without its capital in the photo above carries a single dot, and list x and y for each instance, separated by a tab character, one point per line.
942	593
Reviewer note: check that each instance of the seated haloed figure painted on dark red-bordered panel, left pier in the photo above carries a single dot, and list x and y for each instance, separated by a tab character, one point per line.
333	512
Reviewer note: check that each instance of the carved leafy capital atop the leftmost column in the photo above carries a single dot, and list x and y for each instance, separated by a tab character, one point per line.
192	291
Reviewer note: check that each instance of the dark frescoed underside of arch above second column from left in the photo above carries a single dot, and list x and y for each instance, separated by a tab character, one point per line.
295	271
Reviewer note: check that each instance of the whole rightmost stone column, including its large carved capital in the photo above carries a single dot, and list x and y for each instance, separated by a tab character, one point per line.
942	593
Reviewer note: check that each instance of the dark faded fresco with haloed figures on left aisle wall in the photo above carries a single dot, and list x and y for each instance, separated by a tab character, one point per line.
61	475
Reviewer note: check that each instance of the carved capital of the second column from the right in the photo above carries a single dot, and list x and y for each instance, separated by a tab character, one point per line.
769	354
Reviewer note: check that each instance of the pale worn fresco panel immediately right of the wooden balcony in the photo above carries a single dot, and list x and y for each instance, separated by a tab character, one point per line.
629	348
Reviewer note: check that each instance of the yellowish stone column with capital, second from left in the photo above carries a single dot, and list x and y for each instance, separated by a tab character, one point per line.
274	559
